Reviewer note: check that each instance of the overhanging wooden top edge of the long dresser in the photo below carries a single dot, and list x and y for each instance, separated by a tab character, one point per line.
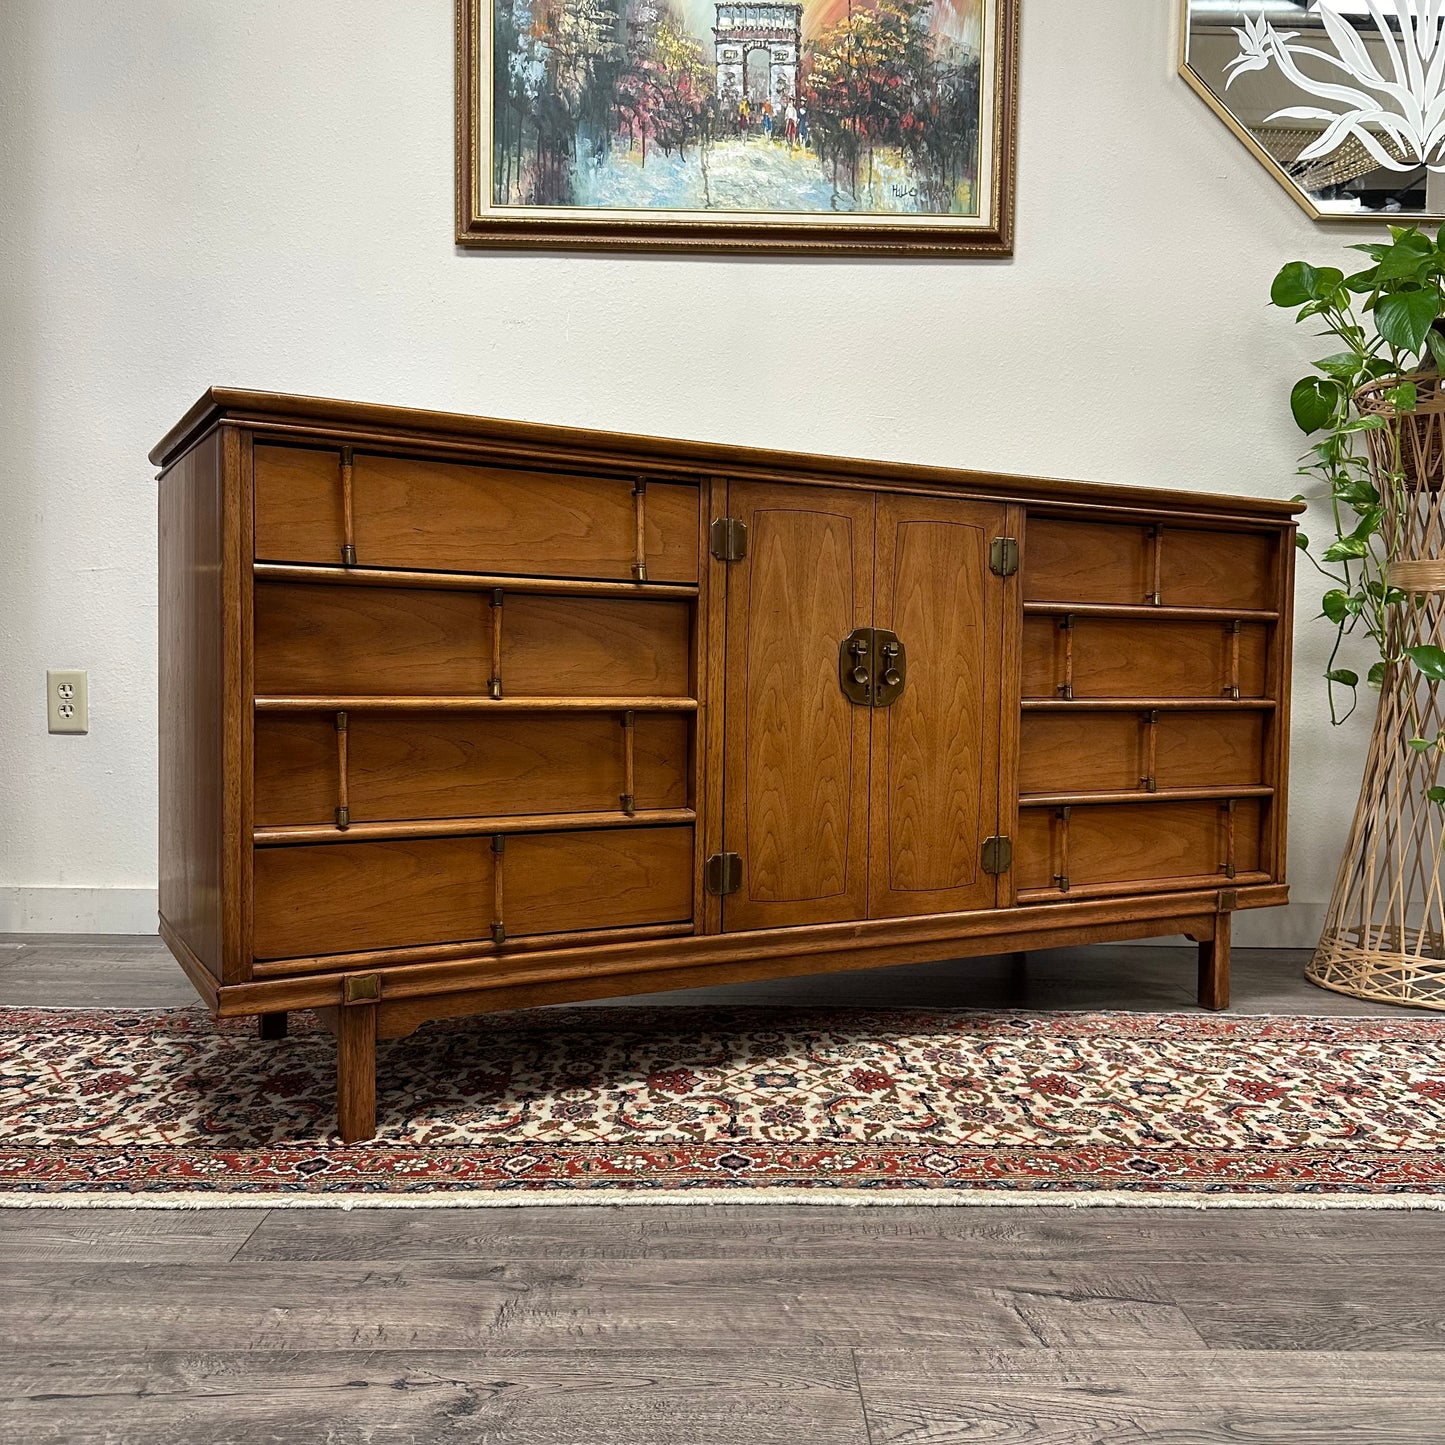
322	420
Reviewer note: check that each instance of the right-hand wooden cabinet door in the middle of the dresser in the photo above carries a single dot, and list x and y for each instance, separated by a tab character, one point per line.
937	748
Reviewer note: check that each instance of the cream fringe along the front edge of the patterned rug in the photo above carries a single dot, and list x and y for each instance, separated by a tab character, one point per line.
859	1199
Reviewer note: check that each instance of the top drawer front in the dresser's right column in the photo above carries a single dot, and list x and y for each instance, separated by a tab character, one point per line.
1086	563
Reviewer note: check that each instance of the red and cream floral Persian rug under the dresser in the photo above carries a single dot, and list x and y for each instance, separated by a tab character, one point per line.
629	1105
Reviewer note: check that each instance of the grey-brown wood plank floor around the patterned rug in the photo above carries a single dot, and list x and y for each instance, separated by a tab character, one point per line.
712	1326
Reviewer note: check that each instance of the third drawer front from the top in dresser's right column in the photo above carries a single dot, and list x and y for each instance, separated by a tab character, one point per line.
1109	752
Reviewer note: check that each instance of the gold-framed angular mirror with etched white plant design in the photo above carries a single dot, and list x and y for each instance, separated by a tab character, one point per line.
1342	100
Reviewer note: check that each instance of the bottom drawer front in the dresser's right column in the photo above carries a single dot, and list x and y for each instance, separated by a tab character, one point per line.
1135	843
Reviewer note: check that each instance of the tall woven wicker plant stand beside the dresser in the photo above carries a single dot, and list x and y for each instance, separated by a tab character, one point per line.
1385	931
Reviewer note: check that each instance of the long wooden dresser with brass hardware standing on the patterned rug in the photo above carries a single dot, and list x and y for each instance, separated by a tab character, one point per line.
463	715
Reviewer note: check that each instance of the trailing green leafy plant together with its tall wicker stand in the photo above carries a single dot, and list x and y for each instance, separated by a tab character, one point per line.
1376	410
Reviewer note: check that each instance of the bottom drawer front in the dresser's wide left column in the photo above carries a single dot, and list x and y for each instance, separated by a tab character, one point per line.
345	898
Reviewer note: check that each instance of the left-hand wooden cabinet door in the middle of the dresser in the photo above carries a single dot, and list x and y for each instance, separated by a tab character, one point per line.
797	774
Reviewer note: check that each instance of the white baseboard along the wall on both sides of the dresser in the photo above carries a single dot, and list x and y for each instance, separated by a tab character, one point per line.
134	911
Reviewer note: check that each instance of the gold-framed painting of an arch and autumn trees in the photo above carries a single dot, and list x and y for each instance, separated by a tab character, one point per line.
824	126
